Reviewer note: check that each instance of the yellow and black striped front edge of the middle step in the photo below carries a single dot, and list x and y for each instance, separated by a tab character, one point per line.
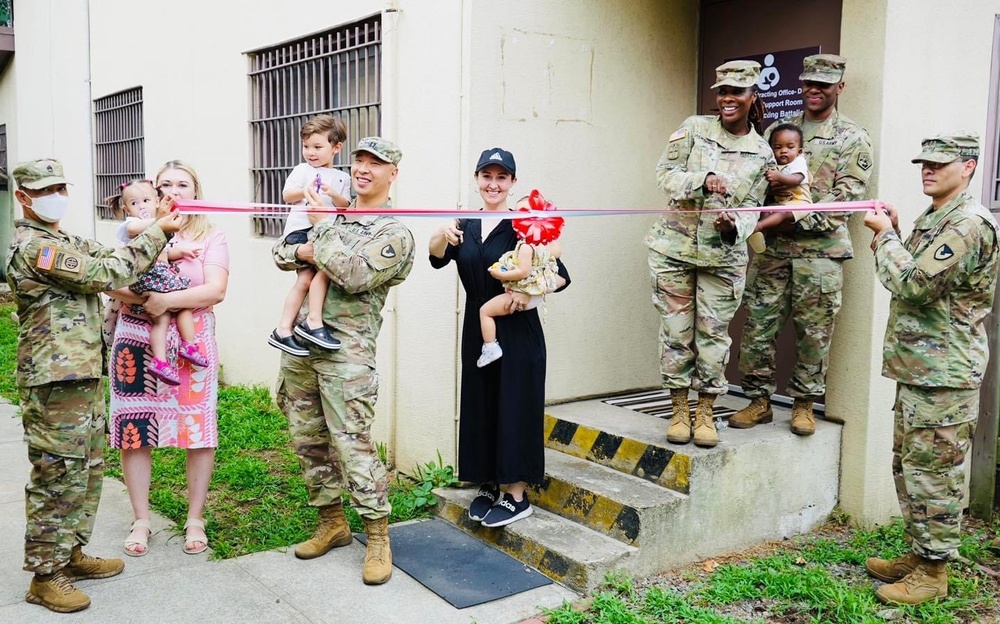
597	512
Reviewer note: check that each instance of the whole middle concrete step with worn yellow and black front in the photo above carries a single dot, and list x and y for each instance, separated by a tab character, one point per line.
627	508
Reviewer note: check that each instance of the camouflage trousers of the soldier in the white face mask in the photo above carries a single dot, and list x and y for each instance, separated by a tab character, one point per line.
64	428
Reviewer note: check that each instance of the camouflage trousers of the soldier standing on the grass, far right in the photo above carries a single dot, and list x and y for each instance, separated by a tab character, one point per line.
928	464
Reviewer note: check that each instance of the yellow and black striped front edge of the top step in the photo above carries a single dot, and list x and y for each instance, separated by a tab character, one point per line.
648	461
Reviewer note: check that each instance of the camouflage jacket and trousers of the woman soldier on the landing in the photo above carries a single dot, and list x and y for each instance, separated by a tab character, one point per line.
697	277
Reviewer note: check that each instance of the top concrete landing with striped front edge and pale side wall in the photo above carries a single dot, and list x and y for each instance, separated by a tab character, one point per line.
757	484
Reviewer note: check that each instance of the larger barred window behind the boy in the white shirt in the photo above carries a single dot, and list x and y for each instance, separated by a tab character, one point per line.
336	71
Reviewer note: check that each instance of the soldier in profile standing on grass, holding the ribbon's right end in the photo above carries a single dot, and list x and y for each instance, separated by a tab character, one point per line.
942	281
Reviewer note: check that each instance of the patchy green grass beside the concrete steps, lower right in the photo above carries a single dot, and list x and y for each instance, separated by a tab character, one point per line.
816	578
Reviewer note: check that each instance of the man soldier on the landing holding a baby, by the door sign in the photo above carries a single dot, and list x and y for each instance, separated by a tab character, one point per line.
801	273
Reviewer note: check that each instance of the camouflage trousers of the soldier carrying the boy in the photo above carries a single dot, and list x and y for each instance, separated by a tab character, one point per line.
330	408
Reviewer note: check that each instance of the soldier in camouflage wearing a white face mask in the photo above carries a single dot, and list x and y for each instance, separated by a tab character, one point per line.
57	279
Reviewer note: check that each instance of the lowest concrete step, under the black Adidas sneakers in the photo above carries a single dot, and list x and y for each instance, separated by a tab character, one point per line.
572	554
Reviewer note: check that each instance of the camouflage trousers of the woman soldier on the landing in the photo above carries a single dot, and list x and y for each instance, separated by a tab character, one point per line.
695	306
